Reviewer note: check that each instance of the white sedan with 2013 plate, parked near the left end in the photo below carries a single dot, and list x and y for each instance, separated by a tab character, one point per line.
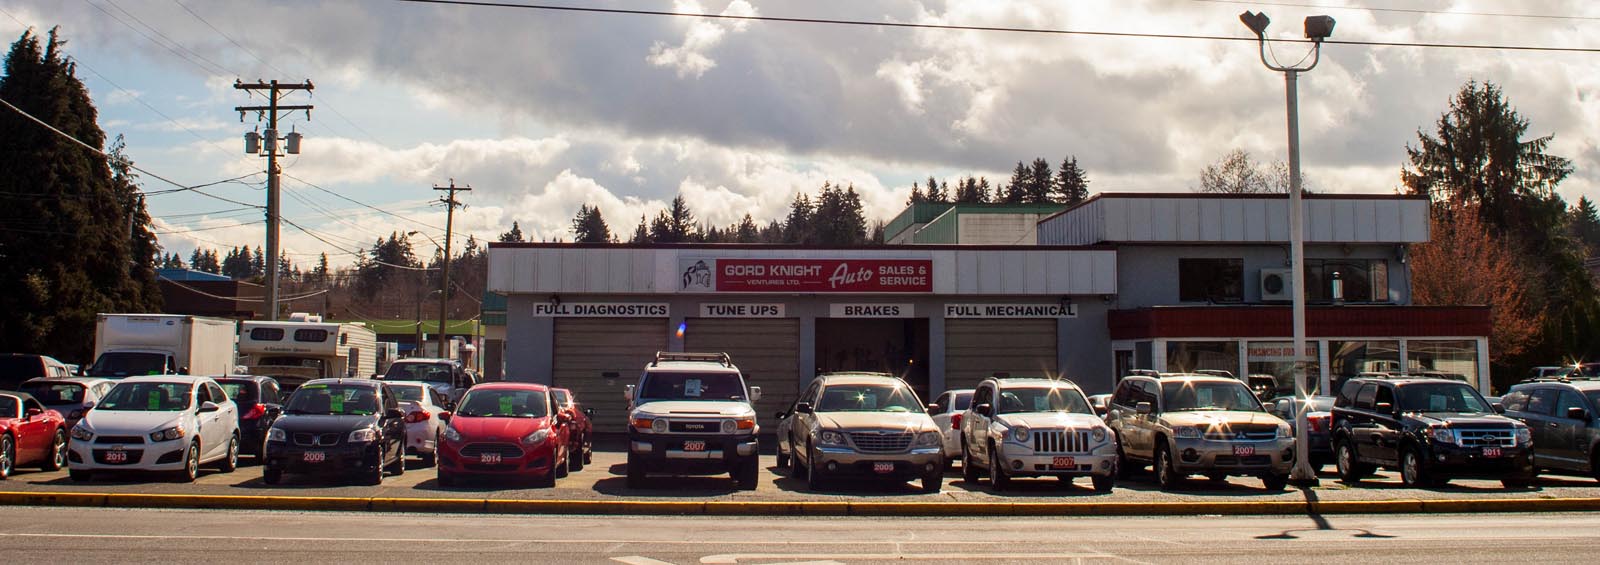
172	423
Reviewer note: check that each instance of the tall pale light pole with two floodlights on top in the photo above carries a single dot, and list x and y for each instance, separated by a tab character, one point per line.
1318	30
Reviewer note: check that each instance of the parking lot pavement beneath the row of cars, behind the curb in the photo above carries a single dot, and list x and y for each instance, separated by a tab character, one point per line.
606	481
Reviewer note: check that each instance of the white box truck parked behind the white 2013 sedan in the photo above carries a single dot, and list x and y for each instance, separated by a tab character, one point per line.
134	345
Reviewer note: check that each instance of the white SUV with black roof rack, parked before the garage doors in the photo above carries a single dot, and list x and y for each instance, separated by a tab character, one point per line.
690	414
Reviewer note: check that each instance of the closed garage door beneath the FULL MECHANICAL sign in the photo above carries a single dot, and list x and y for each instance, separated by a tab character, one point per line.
977	350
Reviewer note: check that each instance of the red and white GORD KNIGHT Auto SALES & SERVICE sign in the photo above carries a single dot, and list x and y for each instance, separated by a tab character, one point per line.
806	276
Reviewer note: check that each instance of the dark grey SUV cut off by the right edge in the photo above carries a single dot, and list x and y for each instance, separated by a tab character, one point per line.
1566	423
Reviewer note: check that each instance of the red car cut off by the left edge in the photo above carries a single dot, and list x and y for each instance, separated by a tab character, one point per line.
30	435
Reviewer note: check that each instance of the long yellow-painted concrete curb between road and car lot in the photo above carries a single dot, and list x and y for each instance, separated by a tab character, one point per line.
807	508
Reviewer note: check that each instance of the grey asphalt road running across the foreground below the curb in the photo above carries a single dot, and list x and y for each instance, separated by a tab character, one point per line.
108	535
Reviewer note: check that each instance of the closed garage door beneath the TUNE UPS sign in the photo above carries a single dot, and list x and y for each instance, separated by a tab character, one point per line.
767	353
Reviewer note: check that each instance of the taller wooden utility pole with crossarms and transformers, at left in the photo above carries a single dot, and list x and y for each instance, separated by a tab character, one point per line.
254	145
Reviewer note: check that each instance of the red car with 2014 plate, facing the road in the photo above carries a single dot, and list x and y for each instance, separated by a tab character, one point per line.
506	430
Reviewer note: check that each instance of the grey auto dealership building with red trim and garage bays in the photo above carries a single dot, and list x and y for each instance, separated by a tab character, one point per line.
1170	282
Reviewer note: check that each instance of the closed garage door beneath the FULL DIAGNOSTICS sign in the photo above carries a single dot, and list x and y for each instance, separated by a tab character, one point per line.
590	348
